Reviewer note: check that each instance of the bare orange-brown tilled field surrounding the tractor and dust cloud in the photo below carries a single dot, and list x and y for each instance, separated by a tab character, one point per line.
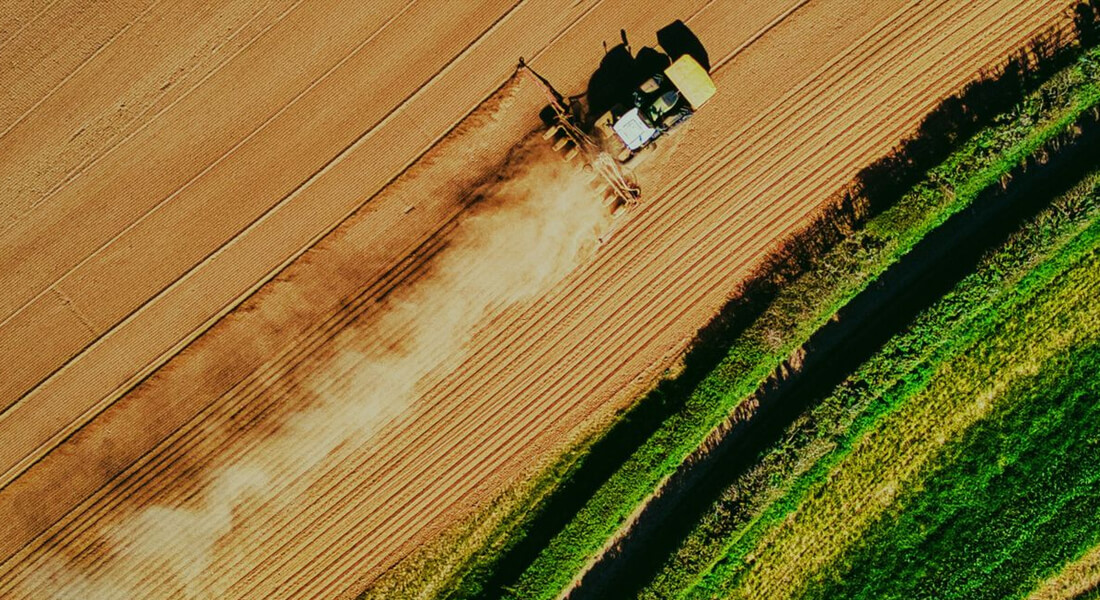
218	146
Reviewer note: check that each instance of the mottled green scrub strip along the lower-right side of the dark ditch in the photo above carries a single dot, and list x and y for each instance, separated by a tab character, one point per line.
819	440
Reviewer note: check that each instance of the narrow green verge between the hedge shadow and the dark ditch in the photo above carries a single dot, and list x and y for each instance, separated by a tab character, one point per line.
808	304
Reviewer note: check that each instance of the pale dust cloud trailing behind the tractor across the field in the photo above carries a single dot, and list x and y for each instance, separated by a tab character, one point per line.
531	231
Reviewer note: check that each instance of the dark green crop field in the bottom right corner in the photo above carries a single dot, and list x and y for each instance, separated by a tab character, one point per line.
1010	504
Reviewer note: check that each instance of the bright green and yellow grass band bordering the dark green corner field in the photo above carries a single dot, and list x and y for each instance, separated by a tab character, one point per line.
906	389
